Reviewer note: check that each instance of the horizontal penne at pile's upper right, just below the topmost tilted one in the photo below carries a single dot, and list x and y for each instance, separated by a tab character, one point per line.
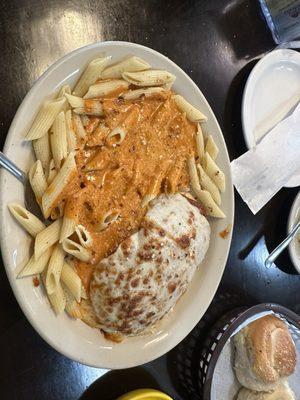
151	77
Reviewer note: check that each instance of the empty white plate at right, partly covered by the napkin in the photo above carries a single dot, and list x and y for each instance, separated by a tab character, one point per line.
273	81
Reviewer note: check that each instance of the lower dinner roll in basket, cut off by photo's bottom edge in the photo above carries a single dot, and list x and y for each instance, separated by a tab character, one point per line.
282	392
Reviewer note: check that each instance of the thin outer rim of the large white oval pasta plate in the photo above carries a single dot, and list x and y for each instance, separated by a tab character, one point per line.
9	138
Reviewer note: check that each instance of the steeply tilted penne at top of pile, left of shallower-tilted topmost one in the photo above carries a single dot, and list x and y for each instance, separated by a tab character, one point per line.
90	75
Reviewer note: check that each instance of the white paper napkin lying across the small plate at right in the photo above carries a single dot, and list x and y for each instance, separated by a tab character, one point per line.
262	171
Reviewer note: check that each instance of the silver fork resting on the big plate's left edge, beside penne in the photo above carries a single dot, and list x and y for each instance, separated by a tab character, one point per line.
30	201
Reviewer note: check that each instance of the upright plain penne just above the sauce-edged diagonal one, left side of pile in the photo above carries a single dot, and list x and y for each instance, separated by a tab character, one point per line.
58	140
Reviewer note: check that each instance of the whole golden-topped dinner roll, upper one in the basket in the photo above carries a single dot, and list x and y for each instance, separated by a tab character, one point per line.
265	352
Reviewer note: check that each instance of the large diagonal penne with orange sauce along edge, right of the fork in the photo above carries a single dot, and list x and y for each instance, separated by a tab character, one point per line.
65	175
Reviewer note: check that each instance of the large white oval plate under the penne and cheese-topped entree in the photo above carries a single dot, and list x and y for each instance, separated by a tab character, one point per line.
70	337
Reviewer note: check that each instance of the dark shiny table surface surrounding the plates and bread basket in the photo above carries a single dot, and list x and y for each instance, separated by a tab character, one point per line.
217	42
